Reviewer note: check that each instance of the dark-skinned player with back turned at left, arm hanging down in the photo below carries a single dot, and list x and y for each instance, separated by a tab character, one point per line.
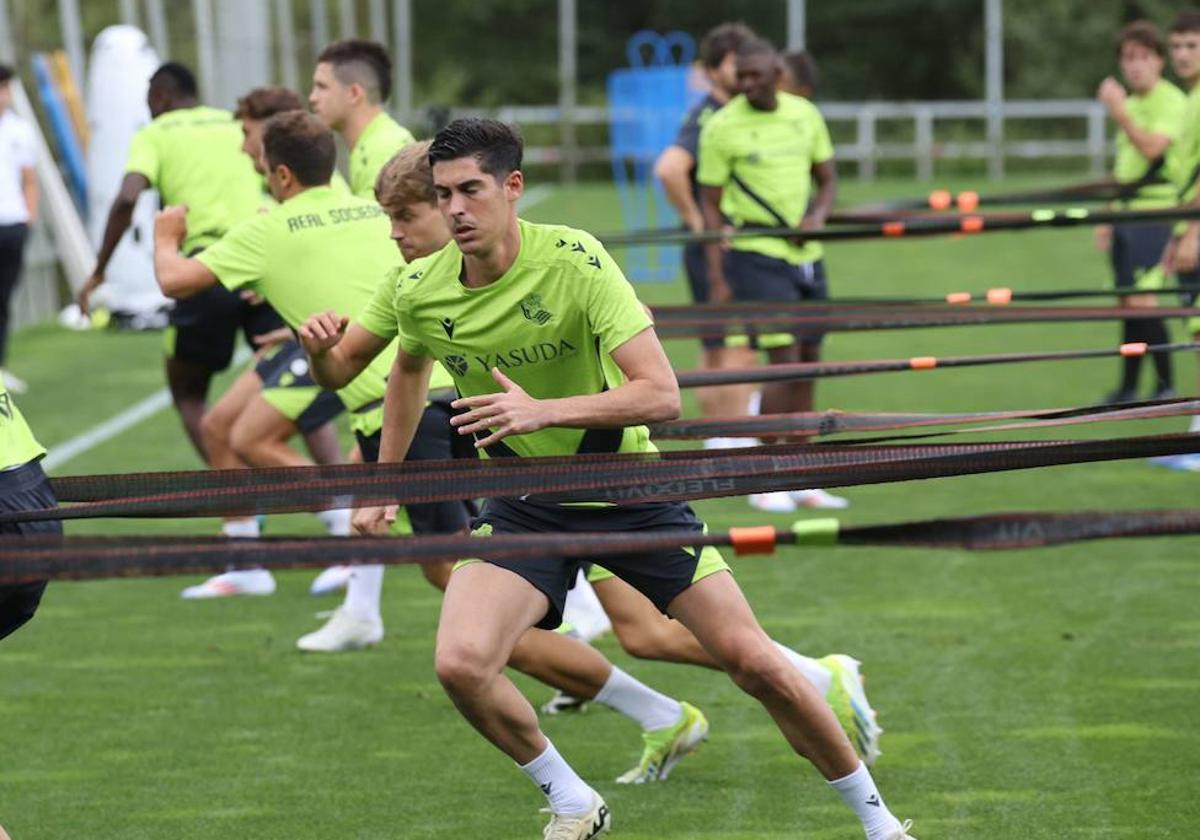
191	154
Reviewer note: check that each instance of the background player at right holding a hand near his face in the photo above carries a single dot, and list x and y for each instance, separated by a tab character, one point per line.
1150	119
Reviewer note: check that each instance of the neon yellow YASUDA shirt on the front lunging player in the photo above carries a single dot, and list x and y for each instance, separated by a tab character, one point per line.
550	325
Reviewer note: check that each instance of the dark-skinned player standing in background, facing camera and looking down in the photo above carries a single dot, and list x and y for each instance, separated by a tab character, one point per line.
759	157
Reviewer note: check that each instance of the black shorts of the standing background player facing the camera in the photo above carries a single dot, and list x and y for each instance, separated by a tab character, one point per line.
755	278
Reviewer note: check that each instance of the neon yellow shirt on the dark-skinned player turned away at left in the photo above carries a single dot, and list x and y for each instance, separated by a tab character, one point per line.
194	157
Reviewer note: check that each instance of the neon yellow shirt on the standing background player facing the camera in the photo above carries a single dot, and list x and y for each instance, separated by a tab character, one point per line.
772	153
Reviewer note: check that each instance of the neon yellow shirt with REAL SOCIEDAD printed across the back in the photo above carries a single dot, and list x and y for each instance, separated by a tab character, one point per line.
320	250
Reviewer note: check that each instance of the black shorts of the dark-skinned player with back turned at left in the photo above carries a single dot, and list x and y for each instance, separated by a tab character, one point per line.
205	328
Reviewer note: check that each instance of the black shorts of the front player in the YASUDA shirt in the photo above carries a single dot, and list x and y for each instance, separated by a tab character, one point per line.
659	575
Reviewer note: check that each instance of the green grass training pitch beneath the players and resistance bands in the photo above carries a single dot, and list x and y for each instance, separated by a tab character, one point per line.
1034	694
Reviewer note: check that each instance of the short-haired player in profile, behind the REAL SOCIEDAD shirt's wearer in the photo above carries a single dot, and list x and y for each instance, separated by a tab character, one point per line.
350	87
